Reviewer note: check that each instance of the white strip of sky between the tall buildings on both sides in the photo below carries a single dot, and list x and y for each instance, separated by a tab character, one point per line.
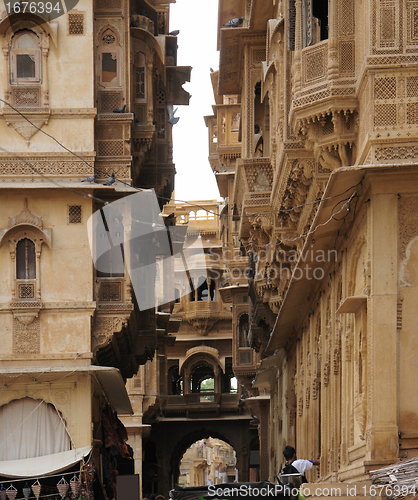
197	22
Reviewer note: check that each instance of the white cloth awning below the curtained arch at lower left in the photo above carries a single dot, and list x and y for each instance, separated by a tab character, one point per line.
41	466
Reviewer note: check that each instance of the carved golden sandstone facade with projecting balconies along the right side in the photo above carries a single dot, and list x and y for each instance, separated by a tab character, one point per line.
322	210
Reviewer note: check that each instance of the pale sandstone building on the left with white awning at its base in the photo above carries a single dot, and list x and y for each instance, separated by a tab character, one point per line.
83	91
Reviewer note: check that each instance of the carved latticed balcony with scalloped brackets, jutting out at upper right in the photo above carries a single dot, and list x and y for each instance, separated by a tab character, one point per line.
324	105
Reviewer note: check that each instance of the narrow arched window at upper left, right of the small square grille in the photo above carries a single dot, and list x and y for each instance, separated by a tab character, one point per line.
109	59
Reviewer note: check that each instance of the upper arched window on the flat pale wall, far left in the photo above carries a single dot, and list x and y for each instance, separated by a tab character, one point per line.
25	58
